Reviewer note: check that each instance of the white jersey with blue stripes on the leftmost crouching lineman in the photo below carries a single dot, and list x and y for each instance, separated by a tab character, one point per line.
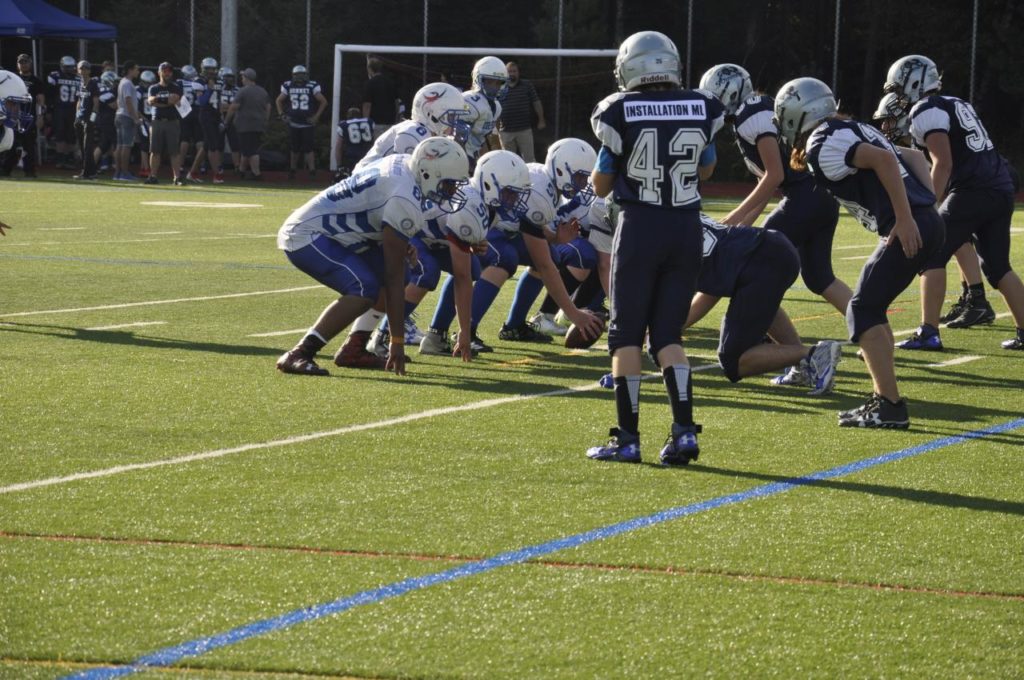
354	211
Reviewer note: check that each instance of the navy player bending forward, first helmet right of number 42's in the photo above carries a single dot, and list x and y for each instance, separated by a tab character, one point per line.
807	215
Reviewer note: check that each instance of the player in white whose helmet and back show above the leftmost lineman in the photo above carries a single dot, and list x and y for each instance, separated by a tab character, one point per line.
439	110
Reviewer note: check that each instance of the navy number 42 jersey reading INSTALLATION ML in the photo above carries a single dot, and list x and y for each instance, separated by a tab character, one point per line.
657	139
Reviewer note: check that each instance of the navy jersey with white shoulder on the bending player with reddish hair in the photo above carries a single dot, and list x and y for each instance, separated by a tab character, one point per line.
830	157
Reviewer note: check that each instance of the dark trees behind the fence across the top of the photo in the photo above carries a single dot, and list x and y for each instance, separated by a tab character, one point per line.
776	40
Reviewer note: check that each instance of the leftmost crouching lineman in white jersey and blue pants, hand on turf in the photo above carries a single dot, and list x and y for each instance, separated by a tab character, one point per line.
354	238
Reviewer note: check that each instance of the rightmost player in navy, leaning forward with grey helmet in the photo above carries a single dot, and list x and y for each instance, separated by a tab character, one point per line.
976	192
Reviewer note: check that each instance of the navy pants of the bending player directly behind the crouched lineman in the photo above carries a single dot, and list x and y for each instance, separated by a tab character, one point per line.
808	217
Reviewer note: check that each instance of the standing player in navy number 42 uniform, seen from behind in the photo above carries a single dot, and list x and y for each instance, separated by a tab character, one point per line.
653	138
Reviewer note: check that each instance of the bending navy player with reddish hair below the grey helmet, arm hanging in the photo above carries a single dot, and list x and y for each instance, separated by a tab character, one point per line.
868	176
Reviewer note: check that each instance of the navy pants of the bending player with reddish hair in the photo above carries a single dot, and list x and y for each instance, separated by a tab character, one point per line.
889	272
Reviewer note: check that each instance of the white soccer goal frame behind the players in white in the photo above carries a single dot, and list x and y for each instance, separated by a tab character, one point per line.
502	53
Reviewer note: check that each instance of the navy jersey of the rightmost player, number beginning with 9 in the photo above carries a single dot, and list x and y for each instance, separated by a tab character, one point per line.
976	164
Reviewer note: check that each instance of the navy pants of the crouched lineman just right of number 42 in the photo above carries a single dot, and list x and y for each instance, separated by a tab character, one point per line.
760	287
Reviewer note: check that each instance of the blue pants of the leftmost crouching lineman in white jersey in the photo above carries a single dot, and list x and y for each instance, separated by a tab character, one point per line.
342	269
